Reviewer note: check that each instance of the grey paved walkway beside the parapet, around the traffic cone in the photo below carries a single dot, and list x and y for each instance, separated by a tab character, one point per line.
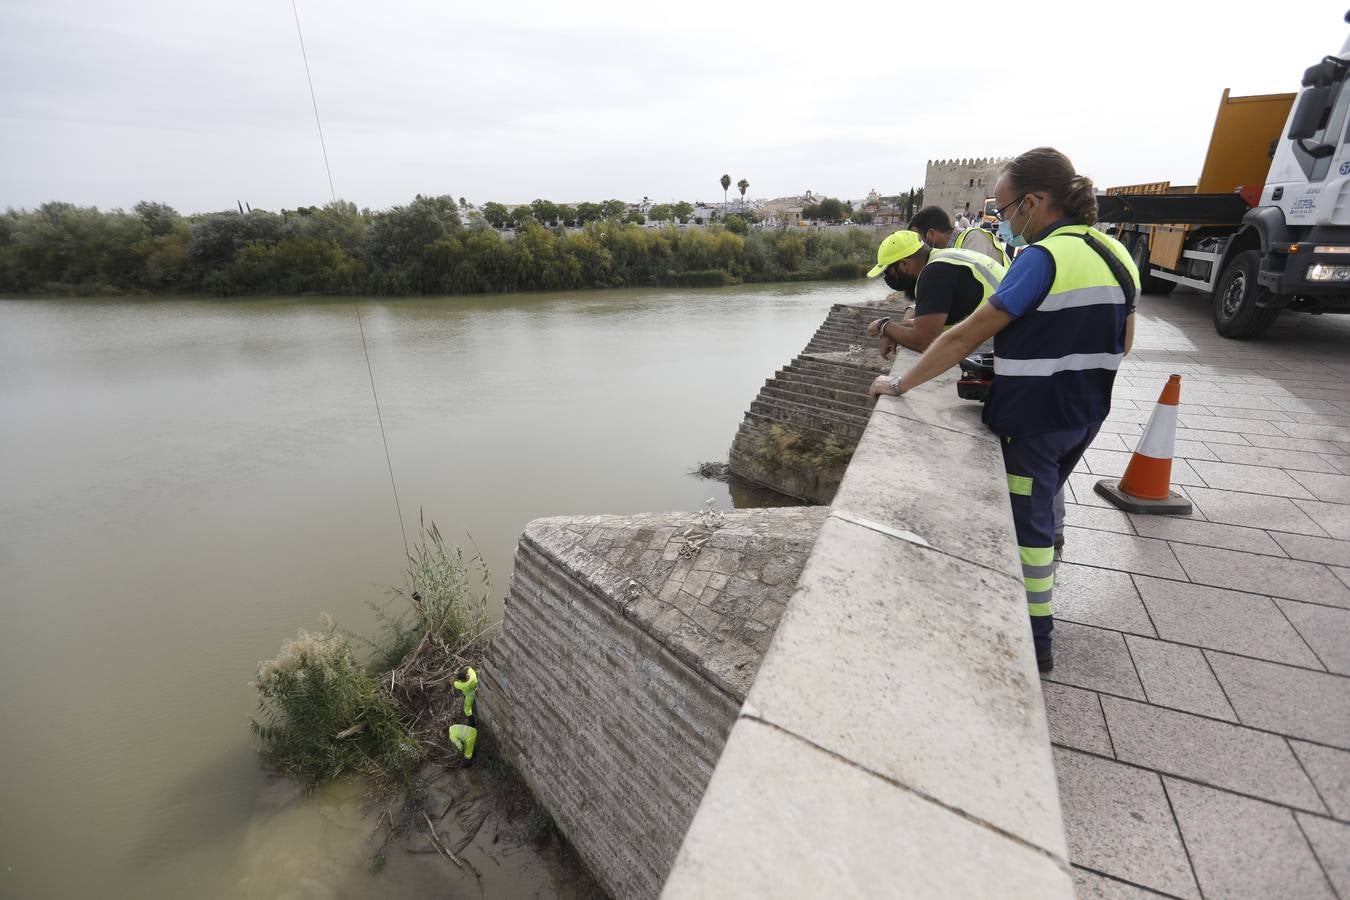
1201	700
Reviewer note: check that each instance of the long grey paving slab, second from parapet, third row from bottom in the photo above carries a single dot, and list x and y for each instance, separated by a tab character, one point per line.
1218	754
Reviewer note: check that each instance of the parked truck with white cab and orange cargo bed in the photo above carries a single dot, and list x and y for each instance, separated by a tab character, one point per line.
1267	226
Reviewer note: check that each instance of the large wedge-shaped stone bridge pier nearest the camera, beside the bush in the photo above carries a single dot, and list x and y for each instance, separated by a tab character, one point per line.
622	663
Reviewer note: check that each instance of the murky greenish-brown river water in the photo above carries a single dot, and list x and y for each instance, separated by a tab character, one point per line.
184	484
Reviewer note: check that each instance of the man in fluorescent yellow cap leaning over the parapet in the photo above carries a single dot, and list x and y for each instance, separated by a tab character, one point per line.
948	287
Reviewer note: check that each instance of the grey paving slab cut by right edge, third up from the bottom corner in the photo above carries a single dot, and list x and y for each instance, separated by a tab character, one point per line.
1314	706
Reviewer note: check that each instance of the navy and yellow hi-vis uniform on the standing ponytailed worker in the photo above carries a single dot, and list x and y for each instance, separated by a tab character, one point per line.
1054	370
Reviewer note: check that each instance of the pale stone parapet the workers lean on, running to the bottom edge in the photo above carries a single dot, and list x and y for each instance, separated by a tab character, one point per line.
894	741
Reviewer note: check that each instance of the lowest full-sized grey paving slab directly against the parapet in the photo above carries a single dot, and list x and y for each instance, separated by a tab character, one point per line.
1118	822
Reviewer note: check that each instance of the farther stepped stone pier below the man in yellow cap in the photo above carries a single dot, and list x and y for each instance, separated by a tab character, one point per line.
801	430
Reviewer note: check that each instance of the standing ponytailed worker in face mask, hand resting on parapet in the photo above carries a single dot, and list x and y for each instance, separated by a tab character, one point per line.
1062	322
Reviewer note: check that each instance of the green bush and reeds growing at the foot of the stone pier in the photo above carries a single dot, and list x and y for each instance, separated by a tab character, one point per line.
325	713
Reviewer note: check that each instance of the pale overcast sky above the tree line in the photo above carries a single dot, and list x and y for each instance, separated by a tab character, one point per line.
205	105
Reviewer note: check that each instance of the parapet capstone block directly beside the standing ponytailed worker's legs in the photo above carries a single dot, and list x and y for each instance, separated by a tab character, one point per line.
901	477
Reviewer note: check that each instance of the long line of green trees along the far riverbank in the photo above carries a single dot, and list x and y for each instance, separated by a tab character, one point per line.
422	248
